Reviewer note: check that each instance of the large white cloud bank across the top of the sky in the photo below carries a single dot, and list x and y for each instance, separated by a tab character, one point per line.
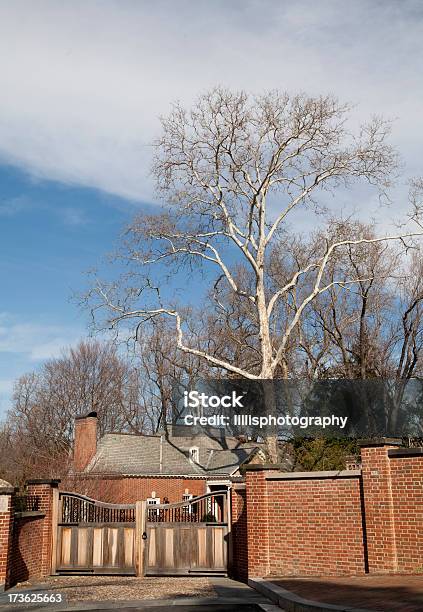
85	81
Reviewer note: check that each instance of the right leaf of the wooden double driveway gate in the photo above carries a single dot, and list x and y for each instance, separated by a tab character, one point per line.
190	537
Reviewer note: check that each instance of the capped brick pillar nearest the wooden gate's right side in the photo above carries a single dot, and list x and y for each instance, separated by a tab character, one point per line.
257	519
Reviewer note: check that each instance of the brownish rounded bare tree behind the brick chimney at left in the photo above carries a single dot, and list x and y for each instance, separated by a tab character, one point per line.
39	426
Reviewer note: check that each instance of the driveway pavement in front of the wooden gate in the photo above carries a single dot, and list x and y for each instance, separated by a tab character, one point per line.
132	593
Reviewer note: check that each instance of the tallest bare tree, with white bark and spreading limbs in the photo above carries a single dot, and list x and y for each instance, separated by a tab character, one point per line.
233	171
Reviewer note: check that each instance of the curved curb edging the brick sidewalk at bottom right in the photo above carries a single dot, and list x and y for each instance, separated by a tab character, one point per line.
294	603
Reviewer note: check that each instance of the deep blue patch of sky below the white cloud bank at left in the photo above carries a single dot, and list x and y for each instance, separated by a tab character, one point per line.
50	234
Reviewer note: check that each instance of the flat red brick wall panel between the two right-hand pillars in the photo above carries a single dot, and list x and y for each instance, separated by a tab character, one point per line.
315	527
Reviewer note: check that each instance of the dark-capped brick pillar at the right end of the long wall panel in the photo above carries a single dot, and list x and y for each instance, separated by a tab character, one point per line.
378	505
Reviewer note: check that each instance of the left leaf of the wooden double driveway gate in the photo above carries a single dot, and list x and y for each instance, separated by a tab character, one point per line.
94	537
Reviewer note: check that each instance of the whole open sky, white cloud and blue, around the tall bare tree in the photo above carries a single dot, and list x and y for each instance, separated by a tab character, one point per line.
82	85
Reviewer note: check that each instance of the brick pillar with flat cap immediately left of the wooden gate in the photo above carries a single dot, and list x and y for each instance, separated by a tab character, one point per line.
43	489
